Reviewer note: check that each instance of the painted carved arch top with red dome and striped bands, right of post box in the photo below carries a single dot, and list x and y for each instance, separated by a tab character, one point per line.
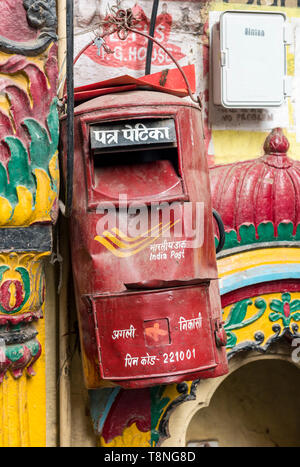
259	265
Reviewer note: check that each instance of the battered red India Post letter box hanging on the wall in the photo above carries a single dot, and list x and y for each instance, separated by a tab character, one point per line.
143	252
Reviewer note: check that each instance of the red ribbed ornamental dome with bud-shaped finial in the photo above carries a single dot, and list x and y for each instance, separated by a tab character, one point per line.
257	191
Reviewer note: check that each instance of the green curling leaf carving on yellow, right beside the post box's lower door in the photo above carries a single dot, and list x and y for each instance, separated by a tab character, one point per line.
236	318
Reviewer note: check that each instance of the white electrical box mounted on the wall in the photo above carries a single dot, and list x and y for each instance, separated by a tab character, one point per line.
249	59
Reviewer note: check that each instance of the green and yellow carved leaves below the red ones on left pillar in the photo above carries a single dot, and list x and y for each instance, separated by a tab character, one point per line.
29	184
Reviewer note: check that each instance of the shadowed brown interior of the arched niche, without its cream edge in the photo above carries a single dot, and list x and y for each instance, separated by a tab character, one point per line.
257	405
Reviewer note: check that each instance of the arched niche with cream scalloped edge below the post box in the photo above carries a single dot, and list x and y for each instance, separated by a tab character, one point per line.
256	404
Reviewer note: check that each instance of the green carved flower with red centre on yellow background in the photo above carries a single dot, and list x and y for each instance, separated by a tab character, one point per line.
285	309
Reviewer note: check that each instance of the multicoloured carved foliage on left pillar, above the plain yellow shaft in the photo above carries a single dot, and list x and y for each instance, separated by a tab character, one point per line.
29	182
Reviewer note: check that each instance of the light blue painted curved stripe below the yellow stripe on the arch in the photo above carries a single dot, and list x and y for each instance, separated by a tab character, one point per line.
258	275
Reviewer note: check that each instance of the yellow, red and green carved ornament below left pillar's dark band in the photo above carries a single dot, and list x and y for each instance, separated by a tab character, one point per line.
22	294
